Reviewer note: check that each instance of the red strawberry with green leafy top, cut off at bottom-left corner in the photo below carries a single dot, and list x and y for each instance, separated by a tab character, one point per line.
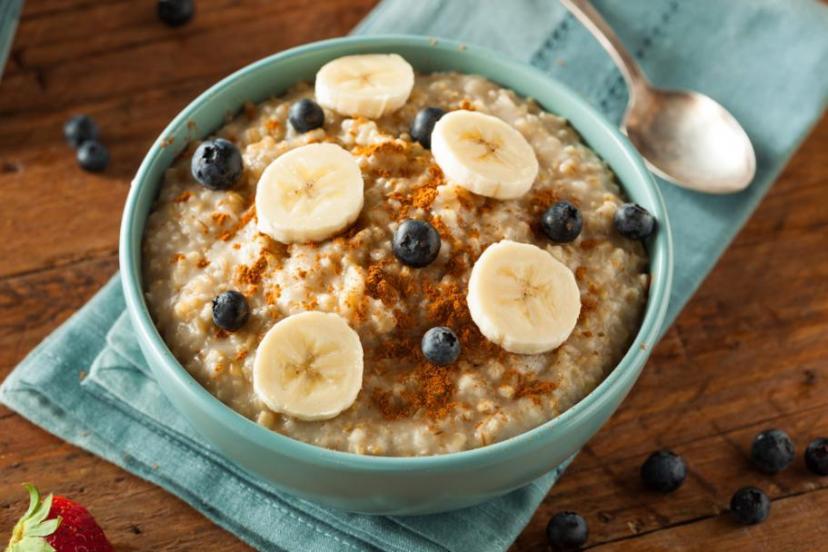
56	524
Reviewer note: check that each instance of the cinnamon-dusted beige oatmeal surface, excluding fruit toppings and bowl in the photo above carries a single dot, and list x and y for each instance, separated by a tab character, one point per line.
199	243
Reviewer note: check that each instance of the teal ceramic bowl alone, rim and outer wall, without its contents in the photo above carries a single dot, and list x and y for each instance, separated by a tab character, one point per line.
389	485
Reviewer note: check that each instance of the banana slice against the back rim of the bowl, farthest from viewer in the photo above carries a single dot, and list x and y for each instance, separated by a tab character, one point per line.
369	85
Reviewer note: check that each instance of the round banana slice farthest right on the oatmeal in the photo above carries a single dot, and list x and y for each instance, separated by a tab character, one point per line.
522	298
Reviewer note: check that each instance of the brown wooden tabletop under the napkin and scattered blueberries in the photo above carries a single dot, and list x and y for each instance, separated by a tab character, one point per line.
749	352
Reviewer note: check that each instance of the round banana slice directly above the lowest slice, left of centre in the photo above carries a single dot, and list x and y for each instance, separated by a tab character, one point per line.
309	194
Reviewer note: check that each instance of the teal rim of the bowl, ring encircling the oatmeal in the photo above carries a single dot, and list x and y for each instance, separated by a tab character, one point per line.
661	262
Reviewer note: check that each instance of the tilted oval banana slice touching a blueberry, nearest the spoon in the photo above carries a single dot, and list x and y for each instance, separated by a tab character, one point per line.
484	154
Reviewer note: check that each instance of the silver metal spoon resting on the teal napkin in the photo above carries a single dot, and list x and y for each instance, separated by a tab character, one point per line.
685	137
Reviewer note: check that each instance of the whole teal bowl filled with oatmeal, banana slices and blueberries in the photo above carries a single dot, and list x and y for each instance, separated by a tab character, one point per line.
394	274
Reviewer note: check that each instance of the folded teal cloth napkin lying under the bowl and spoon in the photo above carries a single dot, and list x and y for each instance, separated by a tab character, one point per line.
764	60
